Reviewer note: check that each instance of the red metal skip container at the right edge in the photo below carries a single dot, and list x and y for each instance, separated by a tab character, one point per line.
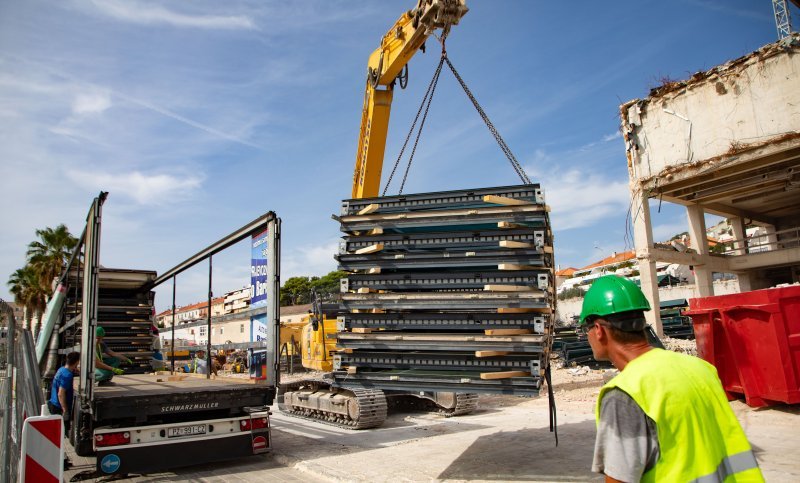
753	339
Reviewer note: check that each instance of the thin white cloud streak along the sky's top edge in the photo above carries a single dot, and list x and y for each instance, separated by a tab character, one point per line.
147	14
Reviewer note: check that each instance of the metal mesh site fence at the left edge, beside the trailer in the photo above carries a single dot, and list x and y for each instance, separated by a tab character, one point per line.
21	394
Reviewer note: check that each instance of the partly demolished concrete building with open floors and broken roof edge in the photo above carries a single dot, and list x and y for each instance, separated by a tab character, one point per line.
726	142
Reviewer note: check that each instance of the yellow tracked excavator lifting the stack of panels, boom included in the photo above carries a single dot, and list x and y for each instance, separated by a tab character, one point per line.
366	408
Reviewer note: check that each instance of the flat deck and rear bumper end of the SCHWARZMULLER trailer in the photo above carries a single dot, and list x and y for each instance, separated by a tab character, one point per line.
153	422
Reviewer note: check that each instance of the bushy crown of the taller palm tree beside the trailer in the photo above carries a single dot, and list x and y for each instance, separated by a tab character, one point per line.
47	257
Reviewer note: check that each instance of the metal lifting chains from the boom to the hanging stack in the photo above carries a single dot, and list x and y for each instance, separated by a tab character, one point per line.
426	104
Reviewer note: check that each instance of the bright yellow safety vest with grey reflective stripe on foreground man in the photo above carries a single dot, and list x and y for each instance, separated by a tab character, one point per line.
699	437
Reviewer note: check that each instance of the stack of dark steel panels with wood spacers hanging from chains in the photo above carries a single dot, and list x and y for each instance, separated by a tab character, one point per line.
448	291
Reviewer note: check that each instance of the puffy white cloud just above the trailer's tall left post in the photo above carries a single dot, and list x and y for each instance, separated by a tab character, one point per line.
143	188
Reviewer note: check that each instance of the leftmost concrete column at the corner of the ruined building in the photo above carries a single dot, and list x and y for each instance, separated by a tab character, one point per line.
643	239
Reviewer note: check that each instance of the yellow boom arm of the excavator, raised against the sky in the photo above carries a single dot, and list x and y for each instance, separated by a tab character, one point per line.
386	63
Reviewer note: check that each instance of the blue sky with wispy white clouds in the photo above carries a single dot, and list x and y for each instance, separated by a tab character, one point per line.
199	116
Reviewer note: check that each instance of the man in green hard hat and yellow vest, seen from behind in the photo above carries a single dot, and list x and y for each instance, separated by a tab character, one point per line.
665	417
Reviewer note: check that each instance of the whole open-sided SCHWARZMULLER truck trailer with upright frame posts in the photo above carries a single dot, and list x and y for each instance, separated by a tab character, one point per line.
145	421
